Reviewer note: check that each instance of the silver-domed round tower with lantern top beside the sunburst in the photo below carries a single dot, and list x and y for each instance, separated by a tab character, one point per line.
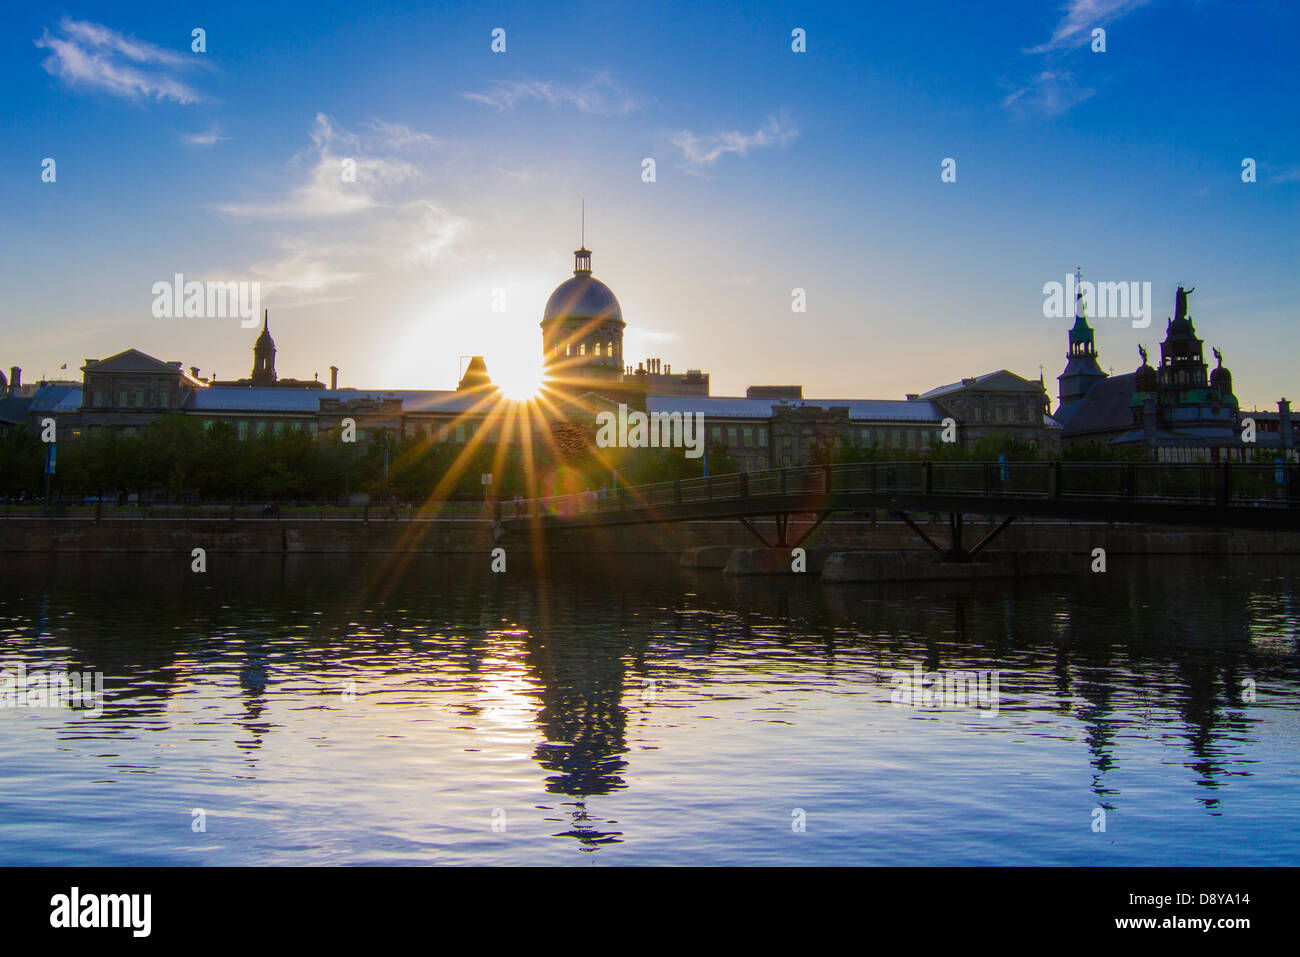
583	328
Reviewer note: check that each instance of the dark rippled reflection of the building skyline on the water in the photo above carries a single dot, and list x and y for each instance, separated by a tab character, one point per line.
1145	657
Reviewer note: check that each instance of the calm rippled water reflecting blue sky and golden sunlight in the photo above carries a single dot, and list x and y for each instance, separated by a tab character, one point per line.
630	712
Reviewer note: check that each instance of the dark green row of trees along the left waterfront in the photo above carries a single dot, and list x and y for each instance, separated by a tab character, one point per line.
177	458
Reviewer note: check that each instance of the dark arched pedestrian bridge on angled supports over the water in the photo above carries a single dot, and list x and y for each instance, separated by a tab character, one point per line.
1198	495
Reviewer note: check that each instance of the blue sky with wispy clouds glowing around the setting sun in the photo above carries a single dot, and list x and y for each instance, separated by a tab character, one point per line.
775	171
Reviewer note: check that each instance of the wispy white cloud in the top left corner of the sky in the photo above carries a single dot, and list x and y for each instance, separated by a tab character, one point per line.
98	58
